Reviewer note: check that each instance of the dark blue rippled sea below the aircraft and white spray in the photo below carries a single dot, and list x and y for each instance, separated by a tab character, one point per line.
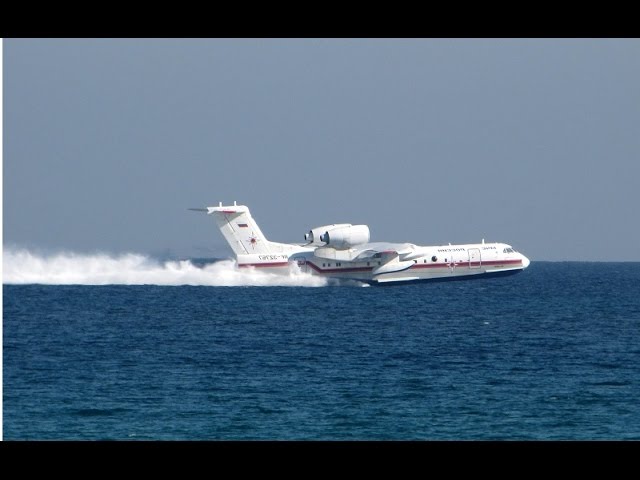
550	353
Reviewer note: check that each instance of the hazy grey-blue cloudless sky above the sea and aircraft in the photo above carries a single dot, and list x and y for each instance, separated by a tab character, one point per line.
533	142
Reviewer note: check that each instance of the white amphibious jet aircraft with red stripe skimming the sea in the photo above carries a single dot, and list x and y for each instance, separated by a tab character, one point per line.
343	251
